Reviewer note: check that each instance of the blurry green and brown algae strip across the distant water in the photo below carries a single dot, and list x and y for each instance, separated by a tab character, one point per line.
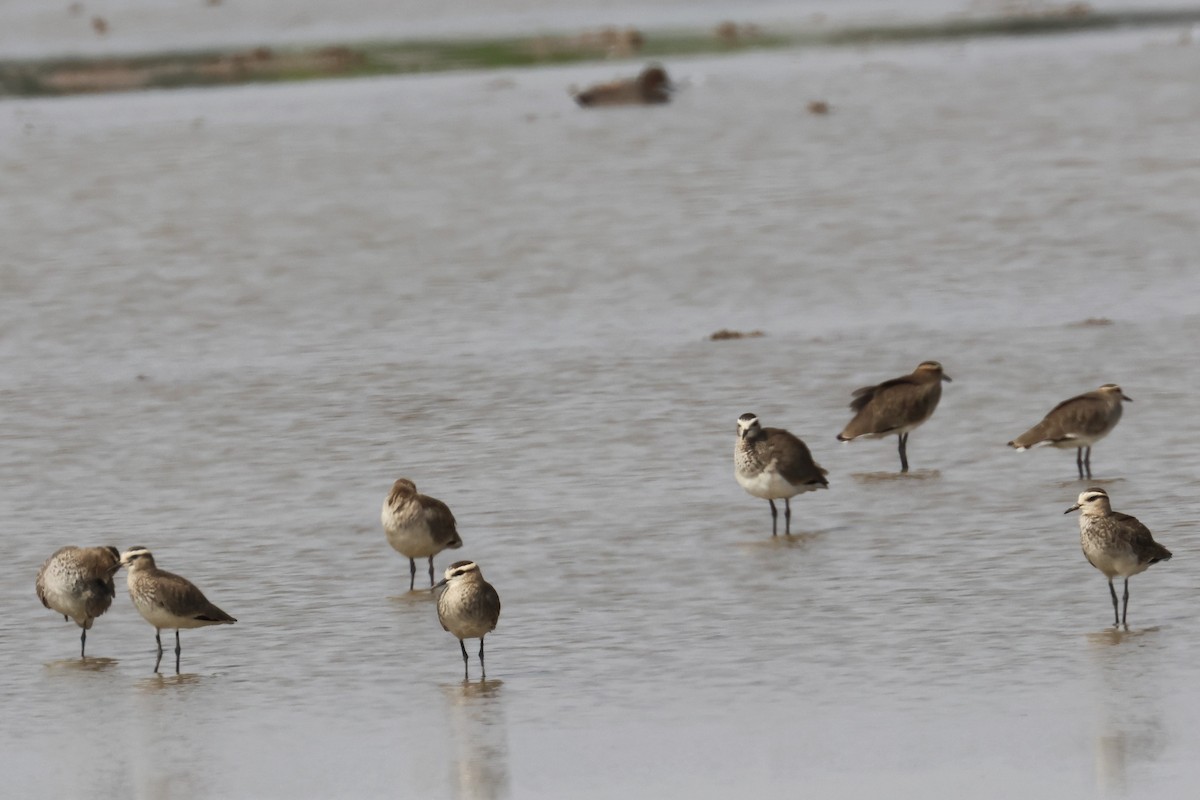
70	76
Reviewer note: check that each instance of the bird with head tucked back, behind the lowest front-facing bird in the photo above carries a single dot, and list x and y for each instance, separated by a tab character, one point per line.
418	526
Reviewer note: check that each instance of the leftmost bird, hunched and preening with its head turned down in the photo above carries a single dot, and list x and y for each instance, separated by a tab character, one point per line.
77	582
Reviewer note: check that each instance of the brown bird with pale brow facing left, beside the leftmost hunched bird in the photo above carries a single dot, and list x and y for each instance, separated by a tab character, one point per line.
167	600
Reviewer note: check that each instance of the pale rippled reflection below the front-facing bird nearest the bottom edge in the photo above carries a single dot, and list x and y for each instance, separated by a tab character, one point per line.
481	735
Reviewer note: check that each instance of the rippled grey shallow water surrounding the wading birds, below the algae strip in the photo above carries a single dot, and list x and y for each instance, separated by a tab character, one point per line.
231	318
